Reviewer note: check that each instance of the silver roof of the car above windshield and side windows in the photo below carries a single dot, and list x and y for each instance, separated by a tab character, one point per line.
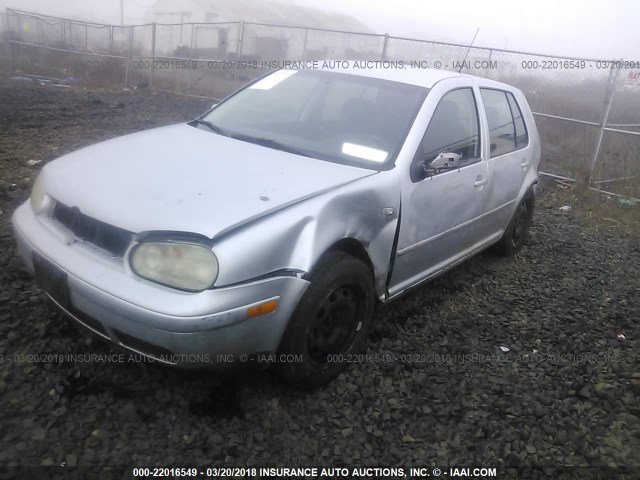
397	71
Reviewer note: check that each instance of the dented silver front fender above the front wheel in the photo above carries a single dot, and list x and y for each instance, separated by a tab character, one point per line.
294	239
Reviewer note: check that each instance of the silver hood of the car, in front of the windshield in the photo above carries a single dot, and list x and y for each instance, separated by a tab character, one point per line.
186	179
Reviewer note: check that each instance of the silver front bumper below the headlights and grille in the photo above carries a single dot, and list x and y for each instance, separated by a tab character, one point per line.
170	326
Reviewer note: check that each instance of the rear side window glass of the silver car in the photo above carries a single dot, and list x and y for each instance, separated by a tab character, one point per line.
507	130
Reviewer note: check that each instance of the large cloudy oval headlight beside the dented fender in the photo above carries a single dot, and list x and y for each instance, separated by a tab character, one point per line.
178	264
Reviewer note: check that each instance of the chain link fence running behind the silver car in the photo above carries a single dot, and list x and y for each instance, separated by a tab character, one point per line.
586	109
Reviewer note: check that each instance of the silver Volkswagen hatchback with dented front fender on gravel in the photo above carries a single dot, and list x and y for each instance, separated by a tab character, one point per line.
267	229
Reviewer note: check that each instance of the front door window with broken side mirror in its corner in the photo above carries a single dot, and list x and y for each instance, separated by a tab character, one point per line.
452	139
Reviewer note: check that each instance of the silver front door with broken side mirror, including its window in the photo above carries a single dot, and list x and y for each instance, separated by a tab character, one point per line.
447	194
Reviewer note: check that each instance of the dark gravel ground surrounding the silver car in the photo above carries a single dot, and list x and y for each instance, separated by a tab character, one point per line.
566	392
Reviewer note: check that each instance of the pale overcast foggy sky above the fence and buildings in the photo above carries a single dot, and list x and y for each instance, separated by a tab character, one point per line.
594	29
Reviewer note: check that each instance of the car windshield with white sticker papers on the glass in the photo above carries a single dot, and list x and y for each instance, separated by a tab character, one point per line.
326	115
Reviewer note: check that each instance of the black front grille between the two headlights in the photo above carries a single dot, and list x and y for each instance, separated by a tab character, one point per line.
112	239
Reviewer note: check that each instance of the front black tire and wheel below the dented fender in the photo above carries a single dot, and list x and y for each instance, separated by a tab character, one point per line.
330	323
